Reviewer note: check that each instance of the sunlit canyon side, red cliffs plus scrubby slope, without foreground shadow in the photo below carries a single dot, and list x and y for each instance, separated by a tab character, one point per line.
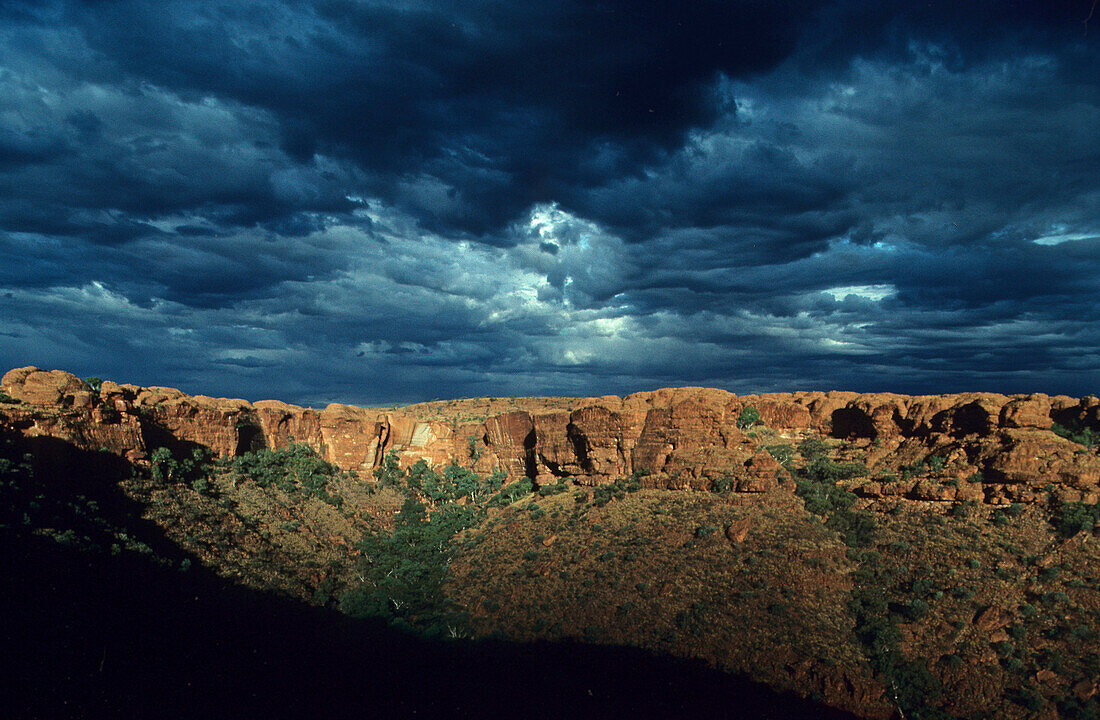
886	556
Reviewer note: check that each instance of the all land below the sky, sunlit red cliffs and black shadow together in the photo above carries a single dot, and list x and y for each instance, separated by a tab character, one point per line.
887	556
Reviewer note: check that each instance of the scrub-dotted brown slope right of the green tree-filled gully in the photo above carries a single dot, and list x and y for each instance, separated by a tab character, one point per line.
954	610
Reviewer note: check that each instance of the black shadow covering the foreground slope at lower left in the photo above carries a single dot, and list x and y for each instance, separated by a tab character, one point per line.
90	635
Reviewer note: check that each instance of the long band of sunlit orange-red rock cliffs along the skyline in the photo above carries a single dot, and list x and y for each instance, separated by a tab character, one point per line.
950	448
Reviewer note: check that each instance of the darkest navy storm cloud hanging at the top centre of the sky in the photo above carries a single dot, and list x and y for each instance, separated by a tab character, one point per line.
498	103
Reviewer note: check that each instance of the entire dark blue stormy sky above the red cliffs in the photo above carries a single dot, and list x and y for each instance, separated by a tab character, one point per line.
377	202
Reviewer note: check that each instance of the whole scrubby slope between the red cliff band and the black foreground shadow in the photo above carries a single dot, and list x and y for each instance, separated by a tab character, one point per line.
939	610
